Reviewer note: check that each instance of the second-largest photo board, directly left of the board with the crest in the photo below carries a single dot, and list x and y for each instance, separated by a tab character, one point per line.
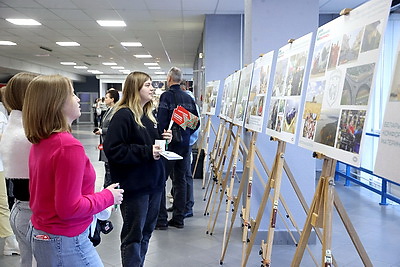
287	89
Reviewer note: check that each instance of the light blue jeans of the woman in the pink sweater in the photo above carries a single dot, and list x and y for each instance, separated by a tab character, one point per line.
60	250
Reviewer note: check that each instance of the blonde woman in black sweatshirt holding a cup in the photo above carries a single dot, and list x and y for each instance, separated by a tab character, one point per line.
134	163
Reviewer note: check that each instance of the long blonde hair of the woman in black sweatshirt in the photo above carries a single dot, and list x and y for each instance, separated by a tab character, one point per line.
131	97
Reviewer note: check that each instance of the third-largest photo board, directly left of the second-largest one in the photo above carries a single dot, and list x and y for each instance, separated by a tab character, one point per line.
258	92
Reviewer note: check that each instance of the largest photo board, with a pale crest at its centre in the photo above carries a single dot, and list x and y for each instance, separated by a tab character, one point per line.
342	72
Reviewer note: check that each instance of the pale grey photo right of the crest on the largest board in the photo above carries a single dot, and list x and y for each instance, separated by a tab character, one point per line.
357	85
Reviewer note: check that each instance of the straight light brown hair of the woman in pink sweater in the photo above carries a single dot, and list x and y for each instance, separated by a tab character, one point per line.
42	114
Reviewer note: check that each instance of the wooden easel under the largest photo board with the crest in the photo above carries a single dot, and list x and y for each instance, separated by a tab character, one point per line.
320	216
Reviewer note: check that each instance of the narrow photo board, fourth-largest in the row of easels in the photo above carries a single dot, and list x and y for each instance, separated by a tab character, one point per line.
243	95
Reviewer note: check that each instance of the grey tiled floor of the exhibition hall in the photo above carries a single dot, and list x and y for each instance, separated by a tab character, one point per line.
377	227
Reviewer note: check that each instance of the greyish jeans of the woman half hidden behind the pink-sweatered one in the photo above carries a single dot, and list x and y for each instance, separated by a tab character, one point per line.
19	219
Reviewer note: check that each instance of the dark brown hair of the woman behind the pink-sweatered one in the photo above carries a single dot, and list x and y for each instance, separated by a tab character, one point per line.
14	93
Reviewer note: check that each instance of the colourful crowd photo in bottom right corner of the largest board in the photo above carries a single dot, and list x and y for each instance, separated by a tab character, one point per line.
350	130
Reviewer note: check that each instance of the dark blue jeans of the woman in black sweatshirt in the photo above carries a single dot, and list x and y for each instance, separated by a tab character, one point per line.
139	213
